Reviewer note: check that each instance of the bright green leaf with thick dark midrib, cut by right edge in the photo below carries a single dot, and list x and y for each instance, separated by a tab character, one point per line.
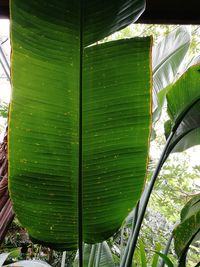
183	100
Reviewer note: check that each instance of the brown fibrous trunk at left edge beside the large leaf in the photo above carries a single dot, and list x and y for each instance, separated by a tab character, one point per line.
6	211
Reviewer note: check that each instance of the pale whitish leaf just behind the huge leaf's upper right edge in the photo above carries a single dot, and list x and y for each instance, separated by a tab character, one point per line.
167	58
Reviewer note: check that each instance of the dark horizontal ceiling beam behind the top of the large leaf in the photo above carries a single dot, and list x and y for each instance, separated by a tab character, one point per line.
157	11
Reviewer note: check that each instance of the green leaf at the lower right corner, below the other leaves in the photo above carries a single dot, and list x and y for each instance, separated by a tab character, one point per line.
189	226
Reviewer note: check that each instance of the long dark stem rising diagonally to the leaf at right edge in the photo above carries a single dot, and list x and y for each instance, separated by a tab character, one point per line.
135	234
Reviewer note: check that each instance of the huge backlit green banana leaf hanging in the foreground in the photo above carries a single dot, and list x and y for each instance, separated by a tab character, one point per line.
79	120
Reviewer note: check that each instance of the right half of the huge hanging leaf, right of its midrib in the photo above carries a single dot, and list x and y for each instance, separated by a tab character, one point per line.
109	155
